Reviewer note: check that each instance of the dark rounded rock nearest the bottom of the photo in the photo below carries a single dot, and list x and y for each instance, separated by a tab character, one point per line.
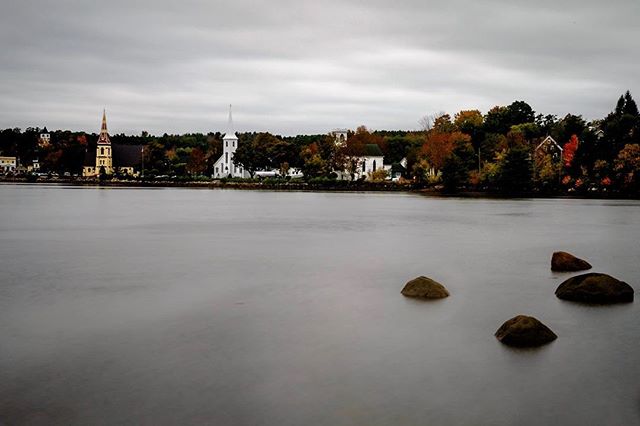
524	331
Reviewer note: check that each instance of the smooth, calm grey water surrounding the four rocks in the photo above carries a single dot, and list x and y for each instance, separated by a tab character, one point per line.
181	306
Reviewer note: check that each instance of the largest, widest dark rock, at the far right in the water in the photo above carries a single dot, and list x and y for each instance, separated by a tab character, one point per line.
595	288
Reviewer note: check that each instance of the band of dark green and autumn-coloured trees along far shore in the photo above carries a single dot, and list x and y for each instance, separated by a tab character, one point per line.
495	151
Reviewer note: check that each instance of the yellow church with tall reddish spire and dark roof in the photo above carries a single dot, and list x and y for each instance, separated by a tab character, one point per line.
108	159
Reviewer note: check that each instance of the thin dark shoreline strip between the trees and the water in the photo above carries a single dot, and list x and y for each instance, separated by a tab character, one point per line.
337	186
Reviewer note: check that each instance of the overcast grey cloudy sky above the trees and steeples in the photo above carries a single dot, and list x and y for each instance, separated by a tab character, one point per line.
306	67
